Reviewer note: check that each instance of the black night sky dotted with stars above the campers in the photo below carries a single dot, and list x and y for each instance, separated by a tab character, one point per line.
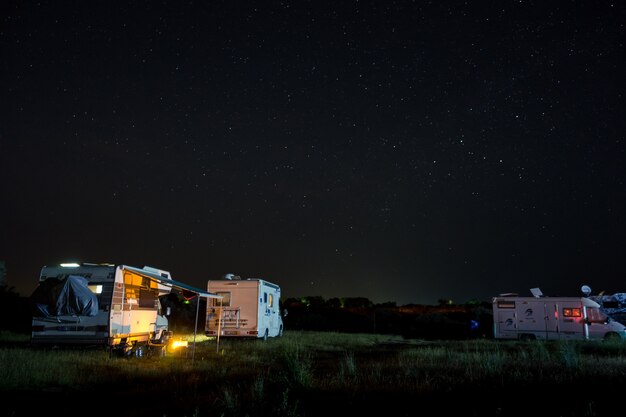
402	151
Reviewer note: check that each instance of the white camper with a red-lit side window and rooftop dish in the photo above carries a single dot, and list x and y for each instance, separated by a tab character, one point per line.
552	318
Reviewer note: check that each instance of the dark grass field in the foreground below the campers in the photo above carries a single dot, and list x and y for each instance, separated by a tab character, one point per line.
318	374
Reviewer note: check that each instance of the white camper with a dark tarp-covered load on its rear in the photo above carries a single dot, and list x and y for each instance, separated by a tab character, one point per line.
113	306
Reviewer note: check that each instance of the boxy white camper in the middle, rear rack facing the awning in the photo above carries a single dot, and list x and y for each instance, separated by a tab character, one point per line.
249	308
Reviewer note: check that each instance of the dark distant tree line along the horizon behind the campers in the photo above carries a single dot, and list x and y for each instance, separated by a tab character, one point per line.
446	320
